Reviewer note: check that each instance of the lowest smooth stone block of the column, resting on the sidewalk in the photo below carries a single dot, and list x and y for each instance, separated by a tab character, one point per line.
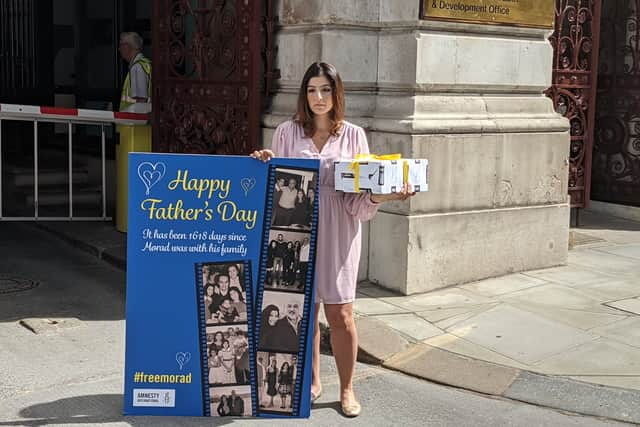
425	252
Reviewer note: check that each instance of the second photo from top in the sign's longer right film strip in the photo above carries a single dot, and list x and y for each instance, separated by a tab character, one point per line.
287	260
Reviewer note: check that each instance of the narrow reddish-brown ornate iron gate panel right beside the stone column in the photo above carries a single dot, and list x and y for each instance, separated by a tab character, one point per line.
575	43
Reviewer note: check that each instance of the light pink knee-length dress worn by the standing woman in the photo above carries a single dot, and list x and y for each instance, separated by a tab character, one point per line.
339	240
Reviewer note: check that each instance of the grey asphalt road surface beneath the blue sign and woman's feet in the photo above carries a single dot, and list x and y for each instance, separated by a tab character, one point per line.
62	352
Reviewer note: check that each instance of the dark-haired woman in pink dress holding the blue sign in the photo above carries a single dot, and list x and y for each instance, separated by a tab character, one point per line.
319	131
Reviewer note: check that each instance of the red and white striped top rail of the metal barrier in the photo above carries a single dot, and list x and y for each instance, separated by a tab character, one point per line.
27	112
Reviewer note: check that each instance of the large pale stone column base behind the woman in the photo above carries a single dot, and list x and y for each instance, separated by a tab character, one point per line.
469	98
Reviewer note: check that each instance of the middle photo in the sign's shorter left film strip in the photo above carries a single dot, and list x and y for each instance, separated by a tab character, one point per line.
228	354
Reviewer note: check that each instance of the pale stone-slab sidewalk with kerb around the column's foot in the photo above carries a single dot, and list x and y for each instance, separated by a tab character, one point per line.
566	337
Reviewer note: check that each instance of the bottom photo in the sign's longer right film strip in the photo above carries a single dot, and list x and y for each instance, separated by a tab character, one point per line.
276	377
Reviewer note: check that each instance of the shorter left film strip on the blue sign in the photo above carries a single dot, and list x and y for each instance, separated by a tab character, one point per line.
225	313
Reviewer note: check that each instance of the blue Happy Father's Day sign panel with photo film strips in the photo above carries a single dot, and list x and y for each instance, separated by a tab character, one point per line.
220	274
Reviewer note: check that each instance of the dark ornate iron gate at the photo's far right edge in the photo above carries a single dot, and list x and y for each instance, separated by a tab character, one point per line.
616	156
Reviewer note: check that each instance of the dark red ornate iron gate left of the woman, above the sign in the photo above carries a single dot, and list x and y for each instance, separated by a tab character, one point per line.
206	76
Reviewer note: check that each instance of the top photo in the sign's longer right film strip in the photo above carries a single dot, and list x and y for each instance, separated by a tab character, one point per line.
293	198
